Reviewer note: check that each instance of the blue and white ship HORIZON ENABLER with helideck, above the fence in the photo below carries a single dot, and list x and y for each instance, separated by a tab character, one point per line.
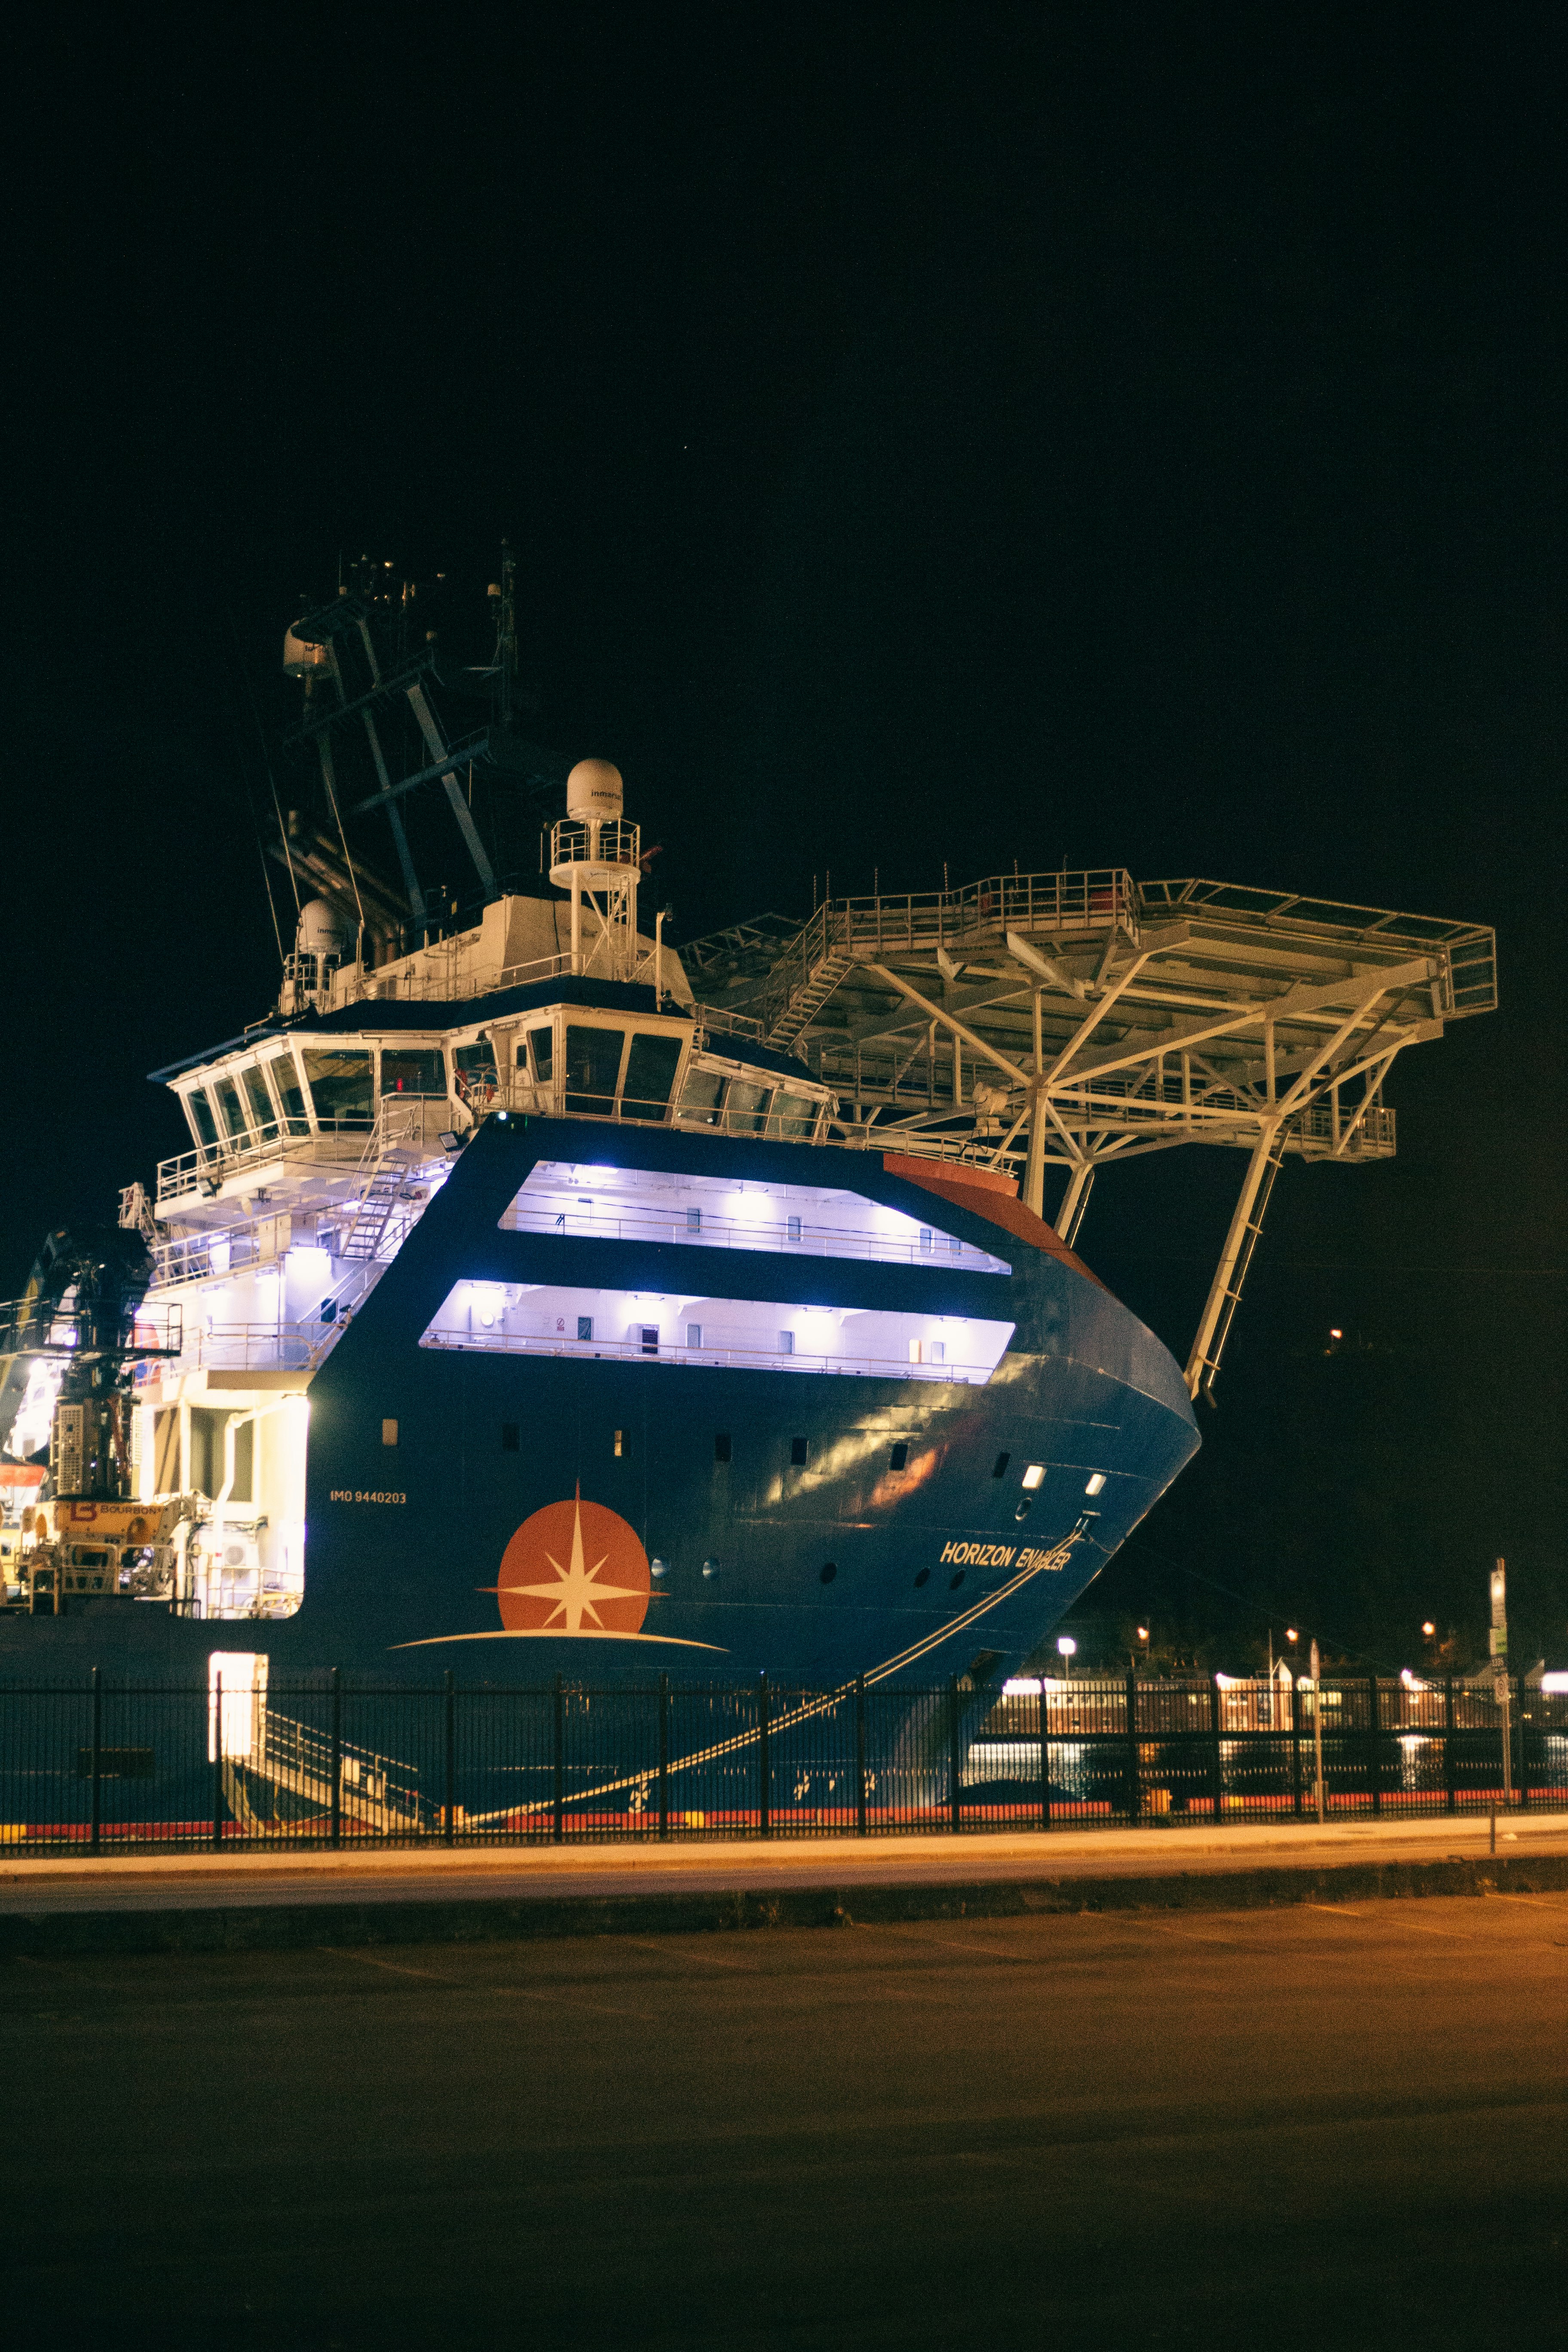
544	1299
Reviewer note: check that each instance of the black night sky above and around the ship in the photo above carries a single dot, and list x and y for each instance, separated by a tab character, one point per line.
1099	434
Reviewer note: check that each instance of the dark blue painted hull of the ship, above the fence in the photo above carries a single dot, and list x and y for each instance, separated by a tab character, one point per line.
812	1572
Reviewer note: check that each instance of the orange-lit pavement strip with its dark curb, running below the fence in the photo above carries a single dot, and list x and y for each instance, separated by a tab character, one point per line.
163	1902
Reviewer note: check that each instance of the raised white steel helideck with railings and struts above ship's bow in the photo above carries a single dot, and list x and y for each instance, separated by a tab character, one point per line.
1080	1020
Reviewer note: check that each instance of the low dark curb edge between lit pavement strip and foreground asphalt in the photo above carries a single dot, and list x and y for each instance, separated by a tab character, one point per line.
725	1911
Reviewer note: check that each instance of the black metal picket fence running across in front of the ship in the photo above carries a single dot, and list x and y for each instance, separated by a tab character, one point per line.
335	1763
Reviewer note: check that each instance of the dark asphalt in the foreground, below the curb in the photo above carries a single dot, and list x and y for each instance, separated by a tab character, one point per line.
1313	2127
